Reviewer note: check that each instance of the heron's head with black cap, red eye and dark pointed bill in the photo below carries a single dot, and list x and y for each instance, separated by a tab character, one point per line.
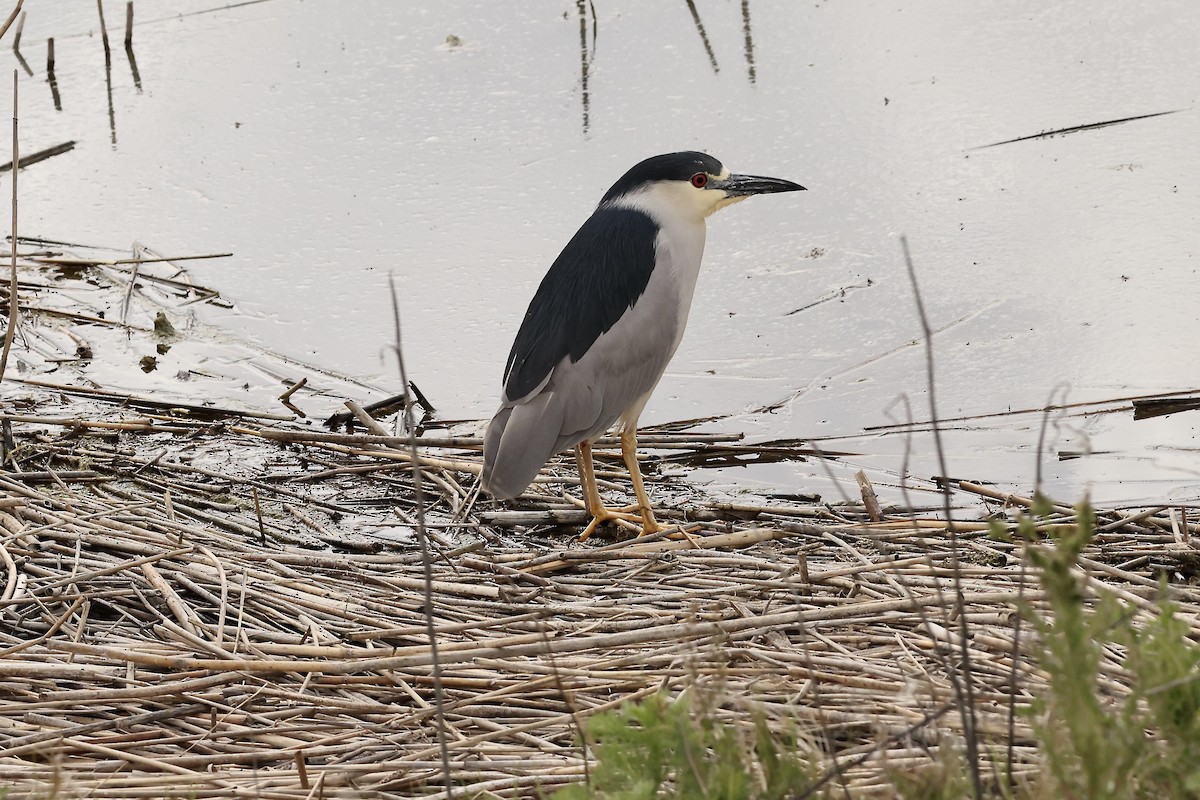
689	184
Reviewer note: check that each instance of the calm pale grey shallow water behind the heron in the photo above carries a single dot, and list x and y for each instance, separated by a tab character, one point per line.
332	145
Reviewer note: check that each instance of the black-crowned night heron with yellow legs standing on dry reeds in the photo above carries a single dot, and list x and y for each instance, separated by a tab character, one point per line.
605	322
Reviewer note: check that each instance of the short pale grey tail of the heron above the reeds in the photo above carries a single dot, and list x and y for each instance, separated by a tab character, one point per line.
519	442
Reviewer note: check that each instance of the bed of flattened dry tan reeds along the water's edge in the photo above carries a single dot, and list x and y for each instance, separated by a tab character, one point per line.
208	600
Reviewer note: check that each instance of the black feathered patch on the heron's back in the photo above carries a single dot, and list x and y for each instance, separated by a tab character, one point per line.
598	278
